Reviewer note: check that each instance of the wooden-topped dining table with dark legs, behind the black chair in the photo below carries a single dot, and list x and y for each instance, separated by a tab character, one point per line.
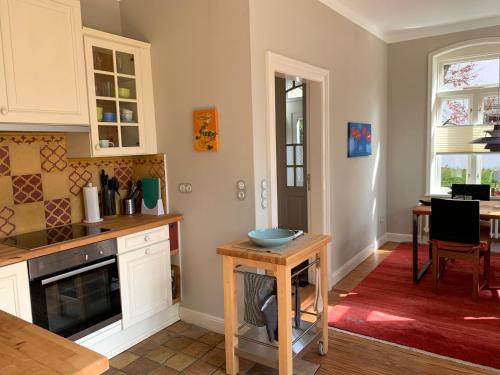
489	210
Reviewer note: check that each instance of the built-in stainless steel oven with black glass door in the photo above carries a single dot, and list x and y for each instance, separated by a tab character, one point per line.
77	291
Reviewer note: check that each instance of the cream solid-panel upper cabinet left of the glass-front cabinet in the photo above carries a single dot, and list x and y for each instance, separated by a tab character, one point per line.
42	70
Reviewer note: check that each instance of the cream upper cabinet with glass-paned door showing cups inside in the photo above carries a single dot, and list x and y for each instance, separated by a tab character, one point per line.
116	96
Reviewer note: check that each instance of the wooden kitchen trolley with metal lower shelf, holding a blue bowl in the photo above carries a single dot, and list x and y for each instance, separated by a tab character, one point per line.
250	342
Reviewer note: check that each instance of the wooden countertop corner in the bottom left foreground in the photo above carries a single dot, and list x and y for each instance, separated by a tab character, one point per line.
28	349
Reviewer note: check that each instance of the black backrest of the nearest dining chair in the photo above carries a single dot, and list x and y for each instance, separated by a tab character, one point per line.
455	221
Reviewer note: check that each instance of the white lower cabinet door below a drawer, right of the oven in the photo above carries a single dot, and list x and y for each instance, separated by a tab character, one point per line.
145	282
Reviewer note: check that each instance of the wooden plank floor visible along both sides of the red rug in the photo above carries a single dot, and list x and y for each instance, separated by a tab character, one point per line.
351	355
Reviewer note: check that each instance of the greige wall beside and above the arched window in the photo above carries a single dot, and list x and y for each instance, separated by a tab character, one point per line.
407	142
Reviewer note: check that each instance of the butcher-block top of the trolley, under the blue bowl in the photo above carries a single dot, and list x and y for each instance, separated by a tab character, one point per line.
288	255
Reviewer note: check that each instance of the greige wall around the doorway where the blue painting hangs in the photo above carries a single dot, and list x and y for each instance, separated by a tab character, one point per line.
309	31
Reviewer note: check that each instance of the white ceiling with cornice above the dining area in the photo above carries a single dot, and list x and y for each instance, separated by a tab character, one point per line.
398	20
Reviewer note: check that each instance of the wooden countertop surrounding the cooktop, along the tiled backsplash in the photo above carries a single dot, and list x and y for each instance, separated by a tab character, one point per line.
119	226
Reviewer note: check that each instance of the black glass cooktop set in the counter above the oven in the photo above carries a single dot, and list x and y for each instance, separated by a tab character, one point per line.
34	240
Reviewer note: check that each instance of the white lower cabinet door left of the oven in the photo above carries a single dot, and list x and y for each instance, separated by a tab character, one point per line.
15	290
